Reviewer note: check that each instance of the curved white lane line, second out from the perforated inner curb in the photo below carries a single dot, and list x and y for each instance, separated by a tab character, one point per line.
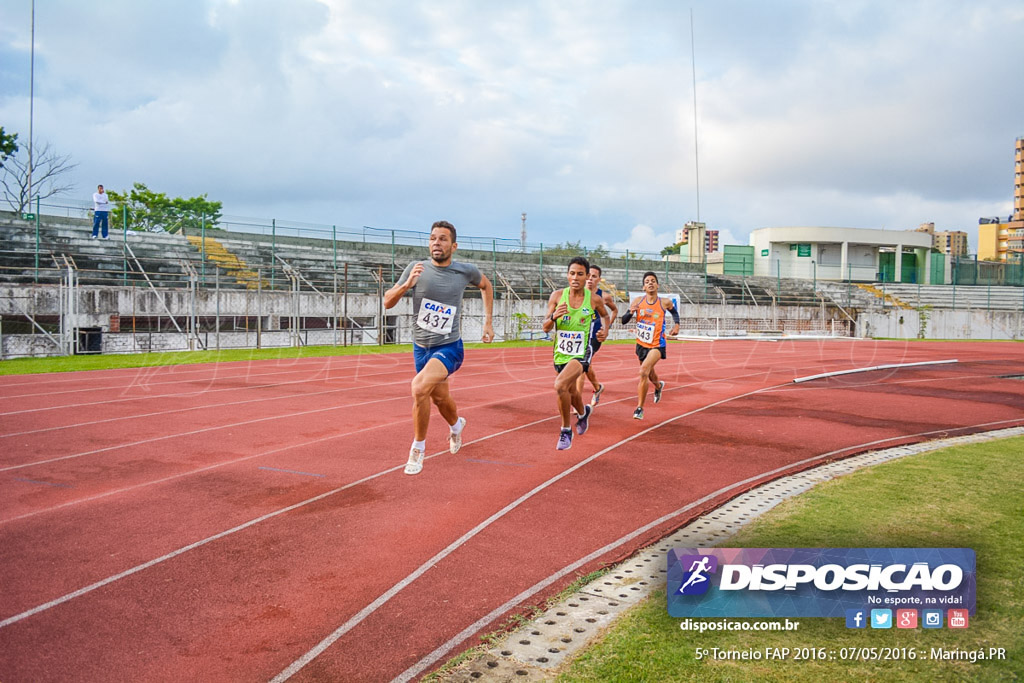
360	617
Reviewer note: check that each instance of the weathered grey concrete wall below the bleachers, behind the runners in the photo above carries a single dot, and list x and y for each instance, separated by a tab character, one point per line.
511	319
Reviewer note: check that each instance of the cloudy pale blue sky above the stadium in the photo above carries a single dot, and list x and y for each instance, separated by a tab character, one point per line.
394	114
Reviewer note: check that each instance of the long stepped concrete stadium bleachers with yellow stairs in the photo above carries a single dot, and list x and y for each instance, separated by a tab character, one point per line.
235	260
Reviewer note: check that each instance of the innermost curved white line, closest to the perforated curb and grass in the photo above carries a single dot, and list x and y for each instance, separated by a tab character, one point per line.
482	623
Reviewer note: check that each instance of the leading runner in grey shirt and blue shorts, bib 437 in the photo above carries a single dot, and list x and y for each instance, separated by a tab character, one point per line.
438	288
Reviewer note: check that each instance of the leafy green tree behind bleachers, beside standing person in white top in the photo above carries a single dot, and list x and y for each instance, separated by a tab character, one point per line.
155	212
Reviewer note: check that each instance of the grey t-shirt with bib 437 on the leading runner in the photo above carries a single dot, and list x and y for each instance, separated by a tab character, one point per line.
438	302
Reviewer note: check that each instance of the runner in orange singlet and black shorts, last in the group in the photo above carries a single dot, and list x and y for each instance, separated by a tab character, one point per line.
650	311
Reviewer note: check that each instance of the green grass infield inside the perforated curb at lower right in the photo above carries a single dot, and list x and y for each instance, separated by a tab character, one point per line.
969	497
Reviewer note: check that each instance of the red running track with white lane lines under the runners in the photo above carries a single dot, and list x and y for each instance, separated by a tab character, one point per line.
251	522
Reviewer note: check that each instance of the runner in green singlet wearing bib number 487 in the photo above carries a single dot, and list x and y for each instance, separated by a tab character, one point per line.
571	315
